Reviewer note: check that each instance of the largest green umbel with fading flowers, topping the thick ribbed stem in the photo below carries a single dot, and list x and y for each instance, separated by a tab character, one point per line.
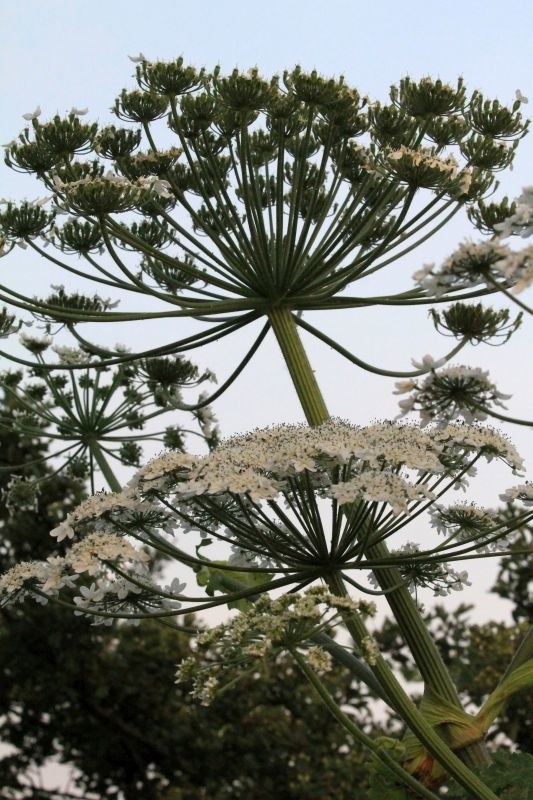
280	192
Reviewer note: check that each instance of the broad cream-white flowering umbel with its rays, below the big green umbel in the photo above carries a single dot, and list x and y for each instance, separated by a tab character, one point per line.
289	501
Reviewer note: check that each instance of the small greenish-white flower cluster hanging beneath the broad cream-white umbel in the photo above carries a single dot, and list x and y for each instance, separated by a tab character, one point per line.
268	629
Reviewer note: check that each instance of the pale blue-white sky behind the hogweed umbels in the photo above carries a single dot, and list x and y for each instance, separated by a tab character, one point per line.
66	53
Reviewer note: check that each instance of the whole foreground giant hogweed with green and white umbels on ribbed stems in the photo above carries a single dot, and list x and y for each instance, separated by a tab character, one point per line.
234	199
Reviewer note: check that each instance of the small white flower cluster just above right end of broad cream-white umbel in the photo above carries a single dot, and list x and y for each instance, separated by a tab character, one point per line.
450	393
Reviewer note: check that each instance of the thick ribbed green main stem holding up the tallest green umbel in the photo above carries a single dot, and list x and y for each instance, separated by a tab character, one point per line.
406	613
